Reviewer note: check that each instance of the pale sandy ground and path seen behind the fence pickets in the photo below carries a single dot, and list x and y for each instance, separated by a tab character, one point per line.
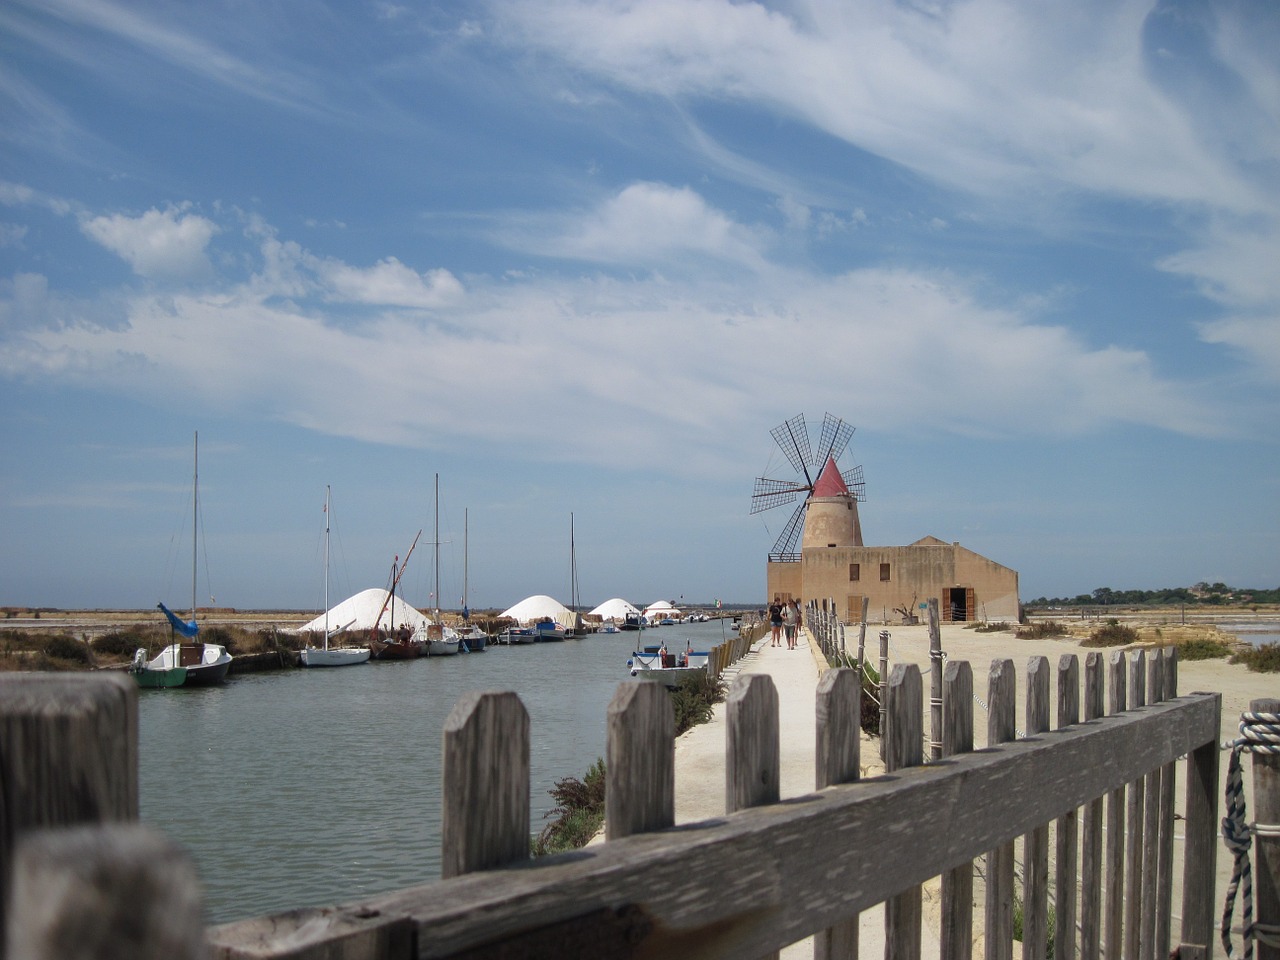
701	752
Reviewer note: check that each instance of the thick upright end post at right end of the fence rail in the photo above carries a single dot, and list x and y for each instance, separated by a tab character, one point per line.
1200	853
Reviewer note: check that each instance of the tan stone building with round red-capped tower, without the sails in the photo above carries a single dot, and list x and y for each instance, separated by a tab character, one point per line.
838	568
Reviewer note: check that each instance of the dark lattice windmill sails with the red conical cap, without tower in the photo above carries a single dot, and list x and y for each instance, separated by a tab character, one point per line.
821	473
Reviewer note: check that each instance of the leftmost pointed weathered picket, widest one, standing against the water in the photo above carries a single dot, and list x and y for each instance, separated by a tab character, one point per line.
486	784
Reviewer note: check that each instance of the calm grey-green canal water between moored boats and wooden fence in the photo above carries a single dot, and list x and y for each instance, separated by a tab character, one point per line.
314	788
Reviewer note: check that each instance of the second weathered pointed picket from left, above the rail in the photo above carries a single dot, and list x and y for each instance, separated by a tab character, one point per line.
639	761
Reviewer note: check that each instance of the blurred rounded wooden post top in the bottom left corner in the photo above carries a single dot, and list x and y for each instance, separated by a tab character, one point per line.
115	892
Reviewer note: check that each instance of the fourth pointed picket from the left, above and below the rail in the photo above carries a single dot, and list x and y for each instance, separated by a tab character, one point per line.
839	755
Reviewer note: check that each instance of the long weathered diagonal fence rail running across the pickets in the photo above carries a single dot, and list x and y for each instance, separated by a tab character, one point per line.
728	888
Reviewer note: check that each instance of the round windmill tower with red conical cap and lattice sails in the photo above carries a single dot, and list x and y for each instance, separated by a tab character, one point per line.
828	516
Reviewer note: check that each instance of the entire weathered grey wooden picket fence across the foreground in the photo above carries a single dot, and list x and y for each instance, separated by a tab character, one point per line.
744	885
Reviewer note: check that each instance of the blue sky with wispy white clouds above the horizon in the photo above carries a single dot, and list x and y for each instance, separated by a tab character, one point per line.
577	259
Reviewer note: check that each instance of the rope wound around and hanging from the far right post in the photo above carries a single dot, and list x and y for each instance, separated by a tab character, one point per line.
1260	734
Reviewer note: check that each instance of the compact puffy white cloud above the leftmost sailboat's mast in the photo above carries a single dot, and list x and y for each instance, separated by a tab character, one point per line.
159	245
